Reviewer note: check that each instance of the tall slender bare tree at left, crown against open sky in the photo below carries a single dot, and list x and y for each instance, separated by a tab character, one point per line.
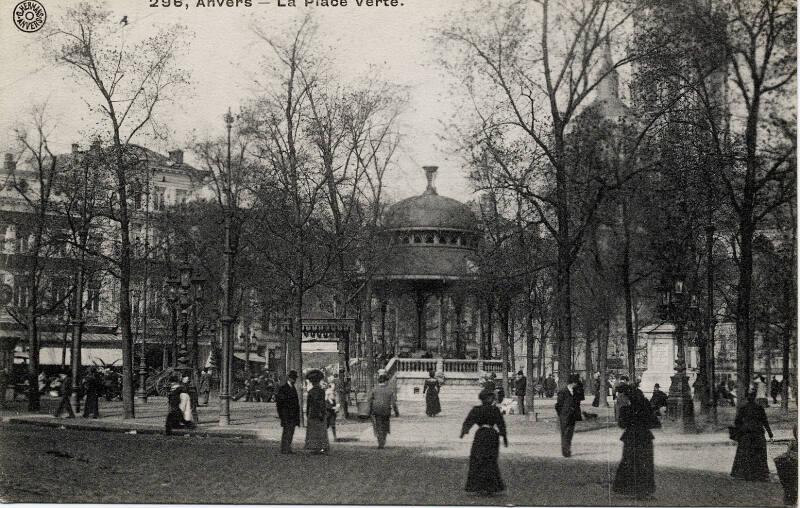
131	82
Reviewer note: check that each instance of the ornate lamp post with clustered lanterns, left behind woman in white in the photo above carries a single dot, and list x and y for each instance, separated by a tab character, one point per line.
187	292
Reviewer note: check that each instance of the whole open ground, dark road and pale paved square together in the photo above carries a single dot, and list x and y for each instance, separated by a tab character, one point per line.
111	460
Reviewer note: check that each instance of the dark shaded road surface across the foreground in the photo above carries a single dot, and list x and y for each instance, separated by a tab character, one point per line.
49	465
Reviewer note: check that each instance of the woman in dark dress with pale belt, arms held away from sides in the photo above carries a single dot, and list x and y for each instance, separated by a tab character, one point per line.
484	473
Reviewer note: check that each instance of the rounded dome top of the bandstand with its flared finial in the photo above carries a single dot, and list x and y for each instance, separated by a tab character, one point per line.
430	211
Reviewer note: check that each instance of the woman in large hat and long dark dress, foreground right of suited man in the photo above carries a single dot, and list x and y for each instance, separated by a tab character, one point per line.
635	475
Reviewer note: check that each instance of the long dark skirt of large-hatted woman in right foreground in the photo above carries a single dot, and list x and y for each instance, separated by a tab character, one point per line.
635	475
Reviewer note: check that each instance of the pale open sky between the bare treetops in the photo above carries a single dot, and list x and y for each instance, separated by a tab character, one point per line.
223	57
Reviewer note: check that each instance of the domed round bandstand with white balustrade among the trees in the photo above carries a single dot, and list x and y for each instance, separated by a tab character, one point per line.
430	258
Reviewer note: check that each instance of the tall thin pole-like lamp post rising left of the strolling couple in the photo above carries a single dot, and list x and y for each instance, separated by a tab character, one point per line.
227	319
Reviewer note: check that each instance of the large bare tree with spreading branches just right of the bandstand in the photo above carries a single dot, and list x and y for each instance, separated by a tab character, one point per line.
530	67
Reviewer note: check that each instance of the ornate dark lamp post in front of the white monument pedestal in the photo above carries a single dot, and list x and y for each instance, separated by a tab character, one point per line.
679	307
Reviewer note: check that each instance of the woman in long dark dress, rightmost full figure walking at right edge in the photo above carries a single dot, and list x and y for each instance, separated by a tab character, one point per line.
751	453
